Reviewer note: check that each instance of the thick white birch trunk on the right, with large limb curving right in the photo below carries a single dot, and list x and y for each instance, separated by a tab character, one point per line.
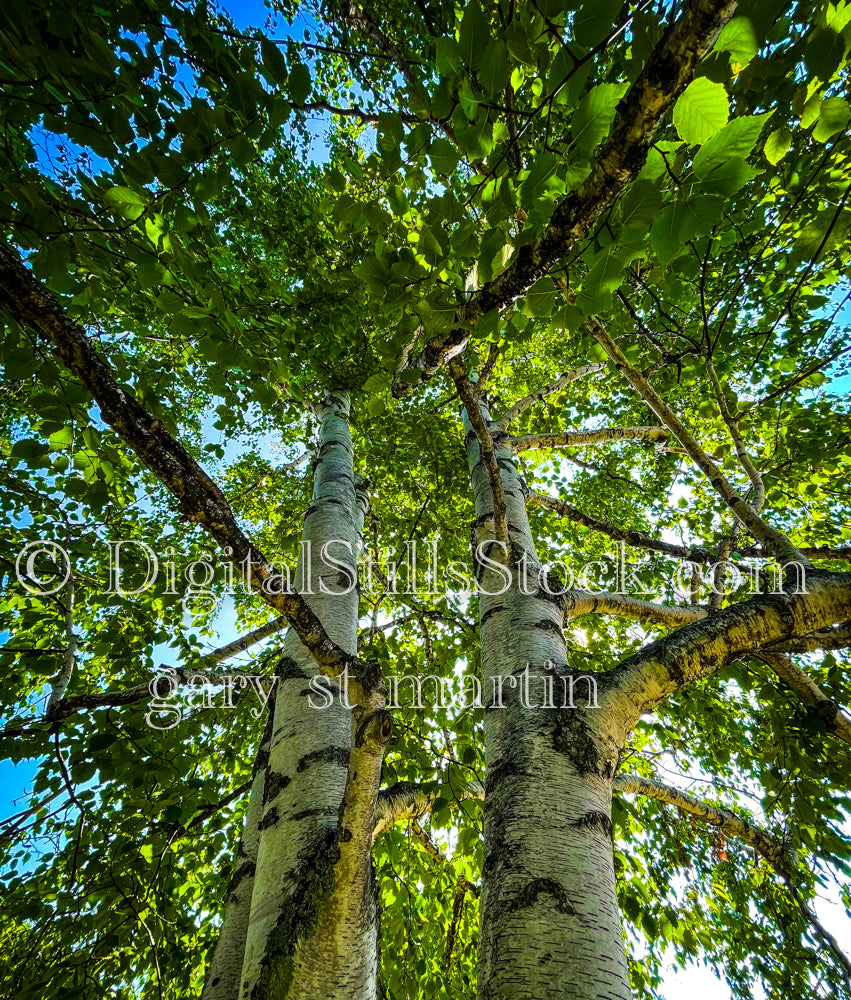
550	920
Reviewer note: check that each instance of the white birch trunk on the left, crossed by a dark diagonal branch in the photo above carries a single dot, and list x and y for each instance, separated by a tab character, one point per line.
313	924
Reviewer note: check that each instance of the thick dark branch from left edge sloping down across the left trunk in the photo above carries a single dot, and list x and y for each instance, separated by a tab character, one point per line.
199	499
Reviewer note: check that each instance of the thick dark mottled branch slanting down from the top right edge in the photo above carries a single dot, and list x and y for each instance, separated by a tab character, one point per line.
665	75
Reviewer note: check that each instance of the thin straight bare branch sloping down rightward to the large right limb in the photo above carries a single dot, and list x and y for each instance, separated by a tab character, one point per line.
772	540
